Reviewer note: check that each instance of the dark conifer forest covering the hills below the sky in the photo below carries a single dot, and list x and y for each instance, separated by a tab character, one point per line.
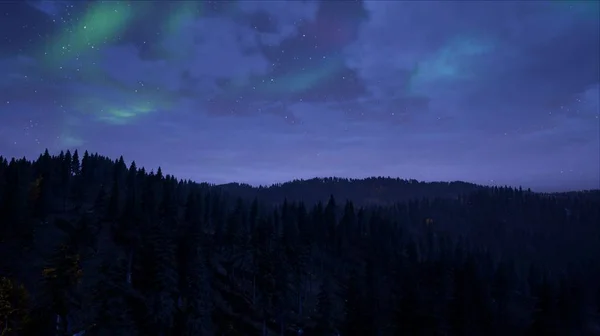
93	246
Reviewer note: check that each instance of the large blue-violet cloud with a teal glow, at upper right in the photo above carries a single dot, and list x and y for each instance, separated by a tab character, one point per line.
477	55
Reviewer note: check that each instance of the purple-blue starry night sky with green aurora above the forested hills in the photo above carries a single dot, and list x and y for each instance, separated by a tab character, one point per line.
262	92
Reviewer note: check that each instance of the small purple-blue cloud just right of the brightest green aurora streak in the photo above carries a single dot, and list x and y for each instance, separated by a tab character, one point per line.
198	55
